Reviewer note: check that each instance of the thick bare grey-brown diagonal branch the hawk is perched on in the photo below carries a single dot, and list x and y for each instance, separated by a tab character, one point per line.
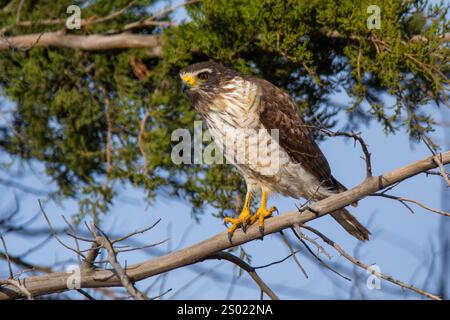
56	282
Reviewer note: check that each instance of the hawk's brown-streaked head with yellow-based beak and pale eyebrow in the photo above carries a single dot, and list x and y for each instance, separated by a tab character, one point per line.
203	81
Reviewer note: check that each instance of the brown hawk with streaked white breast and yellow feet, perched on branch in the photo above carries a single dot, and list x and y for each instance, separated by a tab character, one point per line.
234	104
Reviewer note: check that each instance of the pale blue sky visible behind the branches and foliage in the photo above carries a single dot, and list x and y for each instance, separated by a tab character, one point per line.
402	244
